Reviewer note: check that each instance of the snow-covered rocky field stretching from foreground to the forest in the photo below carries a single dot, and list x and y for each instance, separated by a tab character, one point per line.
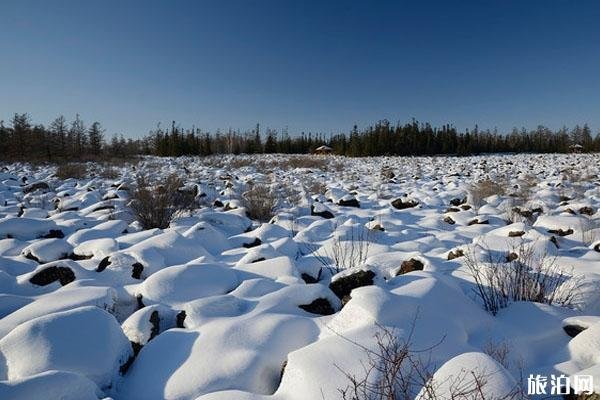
220	306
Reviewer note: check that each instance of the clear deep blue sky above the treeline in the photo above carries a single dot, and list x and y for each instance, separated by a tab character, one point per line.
309	65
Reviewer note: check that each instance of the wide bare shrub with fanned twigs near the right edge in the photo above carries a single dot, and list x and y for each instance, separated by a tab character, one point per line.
526	276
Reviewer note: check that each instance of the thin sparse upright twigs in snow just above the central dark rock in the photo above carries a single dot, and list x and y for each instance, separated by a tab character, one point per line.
346	253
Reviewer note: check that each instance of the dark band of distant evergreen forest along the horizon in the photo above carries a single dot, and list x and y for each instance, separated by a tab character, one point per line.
62	140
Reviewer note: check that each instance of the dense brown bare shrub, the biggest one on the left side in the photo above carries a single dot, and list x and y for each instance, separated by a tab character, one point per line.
155	205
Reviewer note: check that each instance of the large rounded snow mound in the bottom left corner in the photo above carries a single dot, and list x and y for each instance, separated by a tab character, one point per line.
85	340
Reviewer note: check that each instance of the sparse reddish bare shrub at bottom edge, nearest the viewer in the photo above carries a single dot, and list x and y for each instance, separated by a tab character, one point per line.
394	370
